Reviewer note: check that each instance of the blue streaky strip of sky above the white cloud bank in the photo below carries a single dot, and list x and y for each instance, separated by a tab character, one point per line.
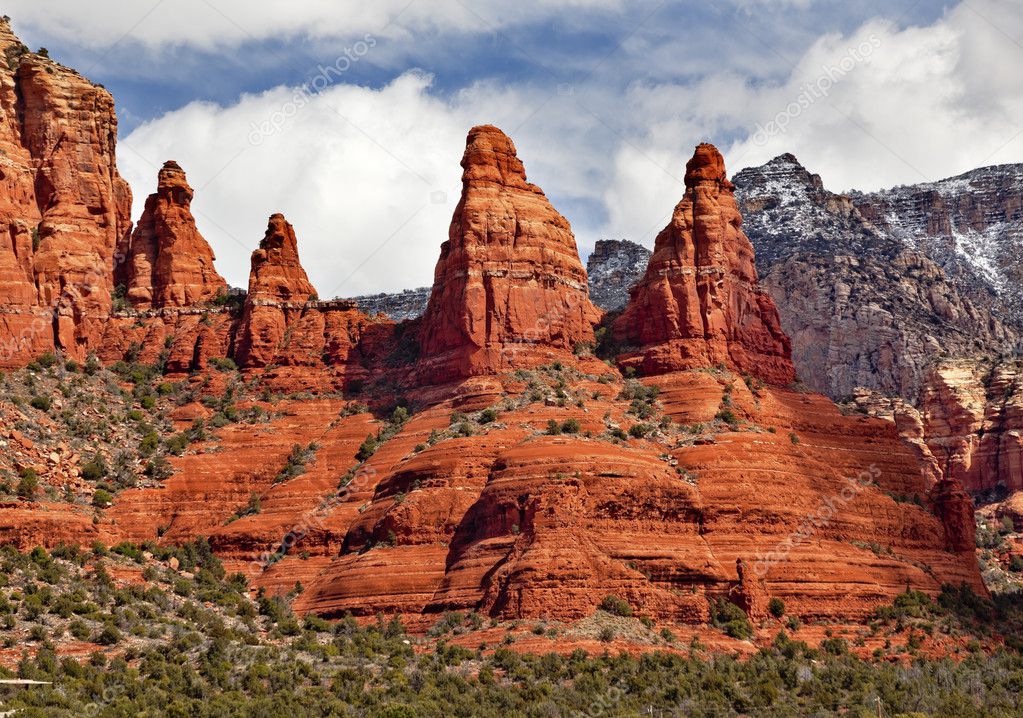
761	39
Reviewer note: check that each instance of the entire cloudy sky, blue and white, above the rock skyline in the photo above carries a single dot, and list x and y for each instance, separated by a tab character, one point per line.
350	116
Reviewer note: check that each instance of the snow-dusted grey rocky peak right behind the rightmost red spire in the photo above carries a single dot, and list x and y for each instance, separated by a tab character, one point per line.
864	306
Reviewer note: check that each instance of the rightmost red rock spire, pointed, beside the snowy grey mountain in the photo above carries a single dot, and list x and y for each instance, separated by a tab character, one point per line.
699	303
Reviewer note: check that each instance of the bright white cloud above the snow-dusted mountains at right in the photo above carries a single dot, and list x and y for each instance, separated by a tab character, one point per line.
926	104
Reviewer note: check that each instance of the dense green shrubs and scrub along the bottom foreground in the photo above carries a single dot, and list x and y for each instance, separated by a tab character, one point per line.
190	643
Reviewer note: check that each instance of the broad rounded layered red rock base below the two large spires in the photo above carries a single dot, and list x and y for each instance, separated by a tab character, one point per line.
515	524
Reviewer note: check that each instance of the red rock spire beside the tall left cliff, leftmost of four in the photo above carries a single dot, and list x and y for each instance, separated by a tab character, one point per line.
169	263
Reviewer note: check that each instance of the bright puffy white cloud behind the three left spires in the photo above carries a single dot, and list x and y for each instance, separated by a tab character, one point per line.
370	178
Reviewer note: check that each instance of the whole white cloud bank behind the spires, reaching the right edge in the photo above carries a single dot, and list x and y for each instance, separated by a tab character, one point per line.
924	103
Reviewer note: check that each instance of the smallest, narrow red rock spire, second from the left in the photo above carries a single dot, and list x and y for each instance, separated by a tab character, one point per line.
279	292
